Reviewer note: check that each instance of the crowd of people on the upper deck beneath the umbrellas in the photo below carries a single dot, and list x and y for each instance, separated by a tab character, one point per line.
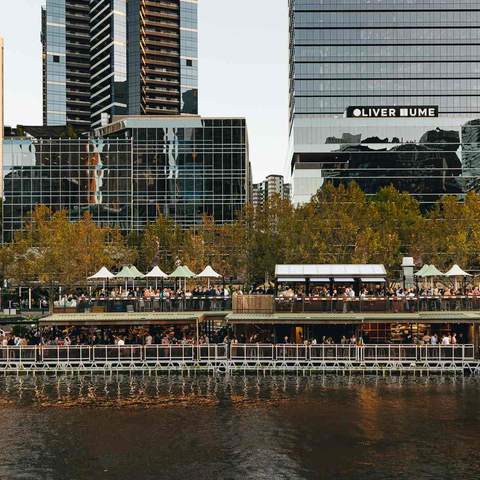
218	297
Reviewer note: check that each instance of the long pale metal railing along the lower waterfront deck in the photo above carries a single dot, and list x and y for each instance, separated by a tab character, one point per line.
227	356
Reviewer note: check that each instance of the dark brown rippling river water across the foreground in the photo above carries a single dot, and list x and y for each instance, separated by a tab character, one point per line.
281	427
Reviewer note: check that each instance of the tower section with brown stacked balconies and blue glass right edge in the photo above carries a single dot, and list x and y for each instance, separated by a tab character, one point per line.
163	57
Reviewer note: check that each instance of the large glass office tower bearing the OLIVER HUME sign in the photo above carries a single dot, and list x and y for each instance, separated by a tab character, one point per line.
385	92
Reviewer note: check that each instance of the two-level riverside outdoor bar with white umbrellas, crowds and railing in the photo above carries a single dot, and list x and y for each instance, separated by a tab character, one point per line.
314	318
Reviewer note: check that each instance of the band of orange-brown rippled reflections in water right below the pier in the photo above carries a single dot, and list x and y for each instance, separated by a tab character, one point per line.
135	390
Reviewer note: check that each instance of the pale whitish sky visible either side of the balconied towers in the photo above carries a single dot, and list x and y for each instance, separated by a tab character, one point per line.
243	57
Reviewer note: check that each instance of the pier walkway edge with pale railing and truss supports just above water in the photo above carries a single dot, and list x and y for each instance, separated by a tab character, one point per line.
224	359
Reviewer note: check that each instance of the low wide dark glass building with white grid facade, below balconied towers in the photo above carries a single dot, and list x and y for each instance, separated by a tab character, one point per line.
132	171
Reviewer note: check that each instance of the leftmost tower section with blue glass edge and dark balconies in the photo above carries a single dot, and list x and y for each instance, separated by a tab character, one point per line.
66	63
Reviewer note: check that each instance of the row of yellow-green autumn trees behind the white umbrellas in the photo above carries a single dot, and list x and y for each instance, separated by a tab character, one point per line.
339	225
